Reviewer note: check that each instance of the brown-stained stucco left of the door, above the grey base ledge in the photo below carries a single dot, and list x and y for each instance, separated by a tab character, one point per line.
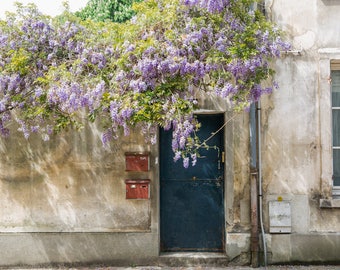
70	183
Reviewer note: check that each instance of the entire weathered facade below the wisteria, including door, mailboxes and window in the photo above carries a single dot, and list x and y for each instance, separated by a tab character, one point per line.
266	188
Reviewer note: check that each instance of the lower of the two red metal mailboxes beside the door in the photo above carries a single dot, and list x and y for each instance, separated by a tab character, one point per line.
137	188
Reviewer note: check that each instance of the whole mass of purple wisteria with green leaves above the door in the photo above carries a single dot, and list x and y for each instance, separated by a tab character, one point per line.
144	72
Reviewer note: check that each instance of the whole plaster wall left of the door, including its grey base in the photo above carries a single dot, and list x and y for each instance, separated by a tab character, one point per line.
63	201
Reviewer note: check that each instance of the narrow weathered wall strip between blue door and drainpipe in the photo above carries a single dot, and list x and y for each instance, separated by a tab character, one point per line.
237	189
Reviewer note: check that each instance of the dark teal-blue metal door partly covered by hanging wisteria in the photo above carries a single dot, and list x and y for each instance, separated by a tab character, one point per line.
192	200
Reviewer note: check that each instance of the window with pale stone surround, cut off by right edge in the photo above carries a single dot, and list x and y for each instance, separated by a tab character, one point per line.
329	121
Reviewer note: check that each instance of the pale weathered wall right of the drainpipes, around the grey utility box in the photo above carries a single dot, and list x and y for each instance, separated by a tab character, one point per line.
297	132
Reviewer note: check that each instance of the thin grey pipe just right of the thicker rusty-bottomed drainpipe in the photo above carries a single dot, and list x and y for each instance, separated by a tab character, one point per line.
260	181
